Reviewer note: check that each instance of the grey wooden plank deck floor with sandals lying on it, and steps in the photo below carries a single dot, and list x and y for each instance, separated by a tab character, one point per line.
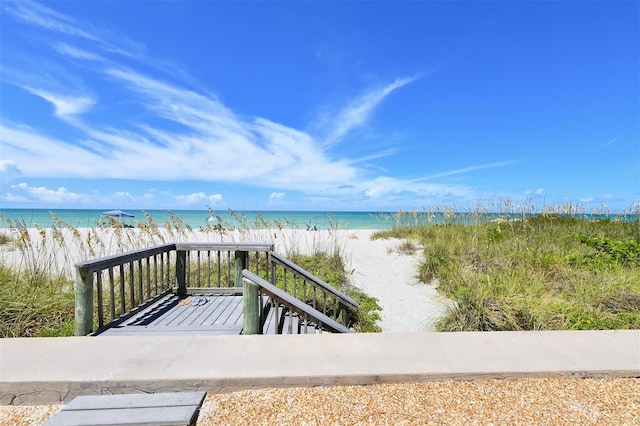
220	314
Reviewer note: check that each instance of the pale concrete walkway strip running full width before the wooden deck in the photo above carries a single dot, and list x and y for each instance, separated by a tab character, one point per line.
55	370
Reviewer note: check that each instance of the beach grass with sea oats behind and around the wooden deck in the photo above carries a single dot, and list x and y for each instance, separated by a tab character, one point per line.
36	289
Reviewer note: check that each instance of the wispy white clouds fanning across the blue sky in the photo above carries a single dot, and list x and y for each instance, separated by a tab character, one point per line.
205	140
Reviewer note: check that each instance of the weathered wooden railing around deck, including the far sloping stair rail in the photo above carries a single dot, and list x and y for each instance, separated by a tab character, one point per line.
117	287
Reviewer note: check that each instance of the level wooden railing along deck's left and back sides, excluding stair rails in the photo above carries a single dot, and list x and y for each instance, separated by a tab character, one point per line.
121	283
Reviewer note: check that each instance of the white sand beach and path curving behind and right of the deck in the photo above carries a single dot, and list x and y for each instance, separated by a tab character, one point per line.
376	266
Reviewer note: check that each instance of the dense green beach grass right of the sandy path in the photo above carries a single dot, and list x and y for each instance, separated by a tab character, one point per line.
547	271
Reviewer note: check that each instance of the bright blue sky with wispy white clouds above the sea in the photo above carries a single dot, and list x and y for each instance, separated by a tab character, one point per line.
318	105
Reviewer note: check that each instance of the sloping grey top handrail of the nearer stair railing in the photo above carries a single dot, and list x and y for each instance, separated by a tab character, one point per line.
295	305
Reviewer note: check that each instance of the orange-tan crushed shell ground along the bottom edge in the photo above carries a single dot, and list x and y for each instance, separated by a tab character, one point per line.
490	402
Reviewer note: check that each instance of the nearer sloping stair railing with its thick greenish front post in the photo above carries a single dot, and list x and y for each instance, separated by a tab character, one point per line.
289	312
